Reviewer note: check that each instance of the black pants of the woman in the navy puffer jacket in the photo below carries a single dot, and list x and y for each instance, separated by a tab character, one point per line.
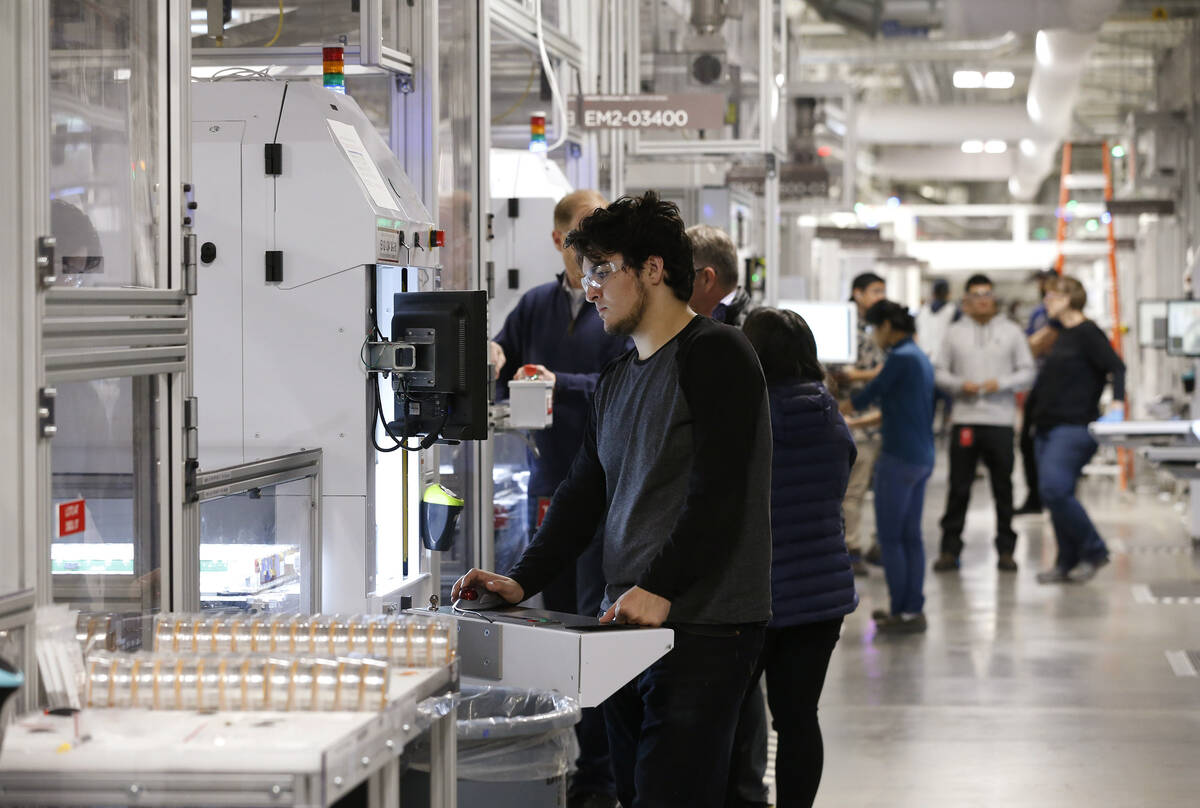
795	661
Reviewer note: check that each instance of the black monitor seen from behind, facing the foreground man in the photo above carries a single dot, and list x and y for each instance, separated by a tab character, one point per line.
445	393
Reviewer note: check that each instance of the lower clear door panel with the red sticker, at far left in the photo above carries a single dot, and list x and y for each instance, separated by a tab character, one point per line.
105	553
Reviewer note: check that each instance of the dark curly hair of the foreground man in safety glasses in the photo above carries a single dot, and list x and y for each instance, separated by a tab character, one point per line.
639	228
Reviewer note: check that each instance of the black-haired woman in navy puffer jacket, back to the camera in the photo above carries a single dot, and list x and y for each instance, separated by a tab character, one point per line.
812	582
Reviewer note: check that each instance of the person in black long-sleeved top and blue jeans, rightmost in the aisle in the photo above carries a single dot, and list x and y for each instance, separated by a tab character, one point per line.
1065	400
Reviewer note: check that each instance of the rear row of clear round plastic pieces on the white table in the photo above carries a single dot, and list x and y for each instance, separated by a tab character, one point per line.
406	641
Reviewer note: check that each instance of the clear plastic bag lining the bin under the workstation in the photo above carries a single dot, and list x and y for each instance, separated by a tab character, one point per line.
512	735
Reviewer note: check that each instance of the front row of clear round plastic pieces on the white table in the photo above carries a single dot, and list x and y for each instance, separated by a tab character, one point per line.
236	683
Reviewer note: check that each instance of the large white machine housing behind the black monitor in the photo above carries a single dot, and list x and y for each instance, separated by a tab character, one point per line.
277	364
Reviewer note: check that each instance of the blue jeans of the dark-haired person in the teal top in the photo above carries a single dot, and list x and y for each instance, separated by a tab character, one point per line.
899	502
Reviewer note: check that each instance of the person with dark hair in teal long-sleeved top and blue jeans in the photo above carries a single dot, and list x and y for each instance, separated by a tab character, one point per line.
904	391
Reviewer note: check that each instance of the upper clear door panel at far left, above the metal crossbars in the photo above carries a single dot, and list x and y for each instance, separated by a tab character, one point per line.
105	164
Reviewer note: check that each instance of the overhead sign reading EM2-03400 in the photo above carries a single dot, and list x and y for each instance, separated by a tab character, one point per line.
676	111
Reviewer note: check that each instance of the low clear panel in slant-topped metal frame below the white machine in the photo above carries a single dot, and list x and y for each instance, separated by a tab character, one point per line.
256	549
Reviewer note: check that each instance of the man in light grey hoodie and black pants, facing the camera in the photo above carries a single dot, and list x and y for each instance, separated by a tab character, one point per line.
983	362
